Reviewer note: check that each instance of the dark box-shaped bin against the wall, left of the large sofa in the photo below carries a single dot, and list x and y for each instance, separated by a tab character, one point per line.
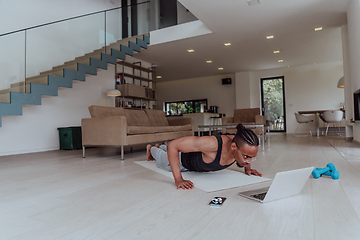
70	138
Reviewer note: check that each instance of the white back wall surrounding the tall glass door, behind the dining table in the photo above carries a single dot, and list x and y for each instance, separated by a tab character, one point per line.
311	87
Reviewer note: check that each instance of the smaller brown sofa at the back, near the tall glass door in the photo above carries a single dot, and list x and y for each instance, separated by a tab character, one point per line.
244	116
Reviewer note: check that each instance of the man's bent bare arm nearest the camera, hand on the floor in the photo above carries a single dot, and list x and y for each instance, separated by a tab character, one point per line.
186	144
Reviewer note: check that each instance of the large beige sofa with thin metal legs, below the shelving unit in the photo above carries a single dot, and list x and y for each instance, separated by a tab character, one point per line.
114	126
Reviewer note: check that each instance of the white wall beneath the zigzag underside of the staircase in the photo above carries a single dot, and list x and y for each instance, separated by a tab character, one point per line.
36	129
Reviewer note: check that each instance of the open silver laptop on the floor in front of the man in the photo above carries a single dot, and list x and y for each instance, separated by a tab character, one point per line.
285	184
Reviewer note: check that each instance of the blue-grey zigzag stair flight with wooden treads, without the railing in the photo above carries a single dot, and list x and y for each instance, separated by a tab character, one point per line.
47	83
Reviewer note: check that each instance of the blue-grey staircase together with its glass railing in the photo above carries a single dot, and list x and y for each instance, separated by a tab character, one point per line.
76	47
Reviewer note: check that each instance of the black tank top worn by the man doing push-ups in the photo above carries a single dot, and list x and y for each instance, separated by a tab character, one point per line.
193	160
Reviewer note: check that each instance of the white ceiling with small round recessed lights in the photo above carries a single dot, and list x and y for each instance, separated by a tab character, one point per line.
292	23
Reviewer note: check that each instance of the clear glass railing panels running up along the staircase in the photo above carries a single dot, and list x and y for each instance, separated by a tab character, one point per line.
27	55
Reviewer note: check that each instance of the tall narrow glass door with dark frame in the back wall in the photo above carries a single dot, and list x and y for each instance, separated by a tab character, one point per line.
273	103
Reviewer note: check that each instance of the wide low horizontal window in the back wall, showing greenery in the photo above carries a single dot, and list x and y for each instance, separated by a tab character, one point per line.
178	108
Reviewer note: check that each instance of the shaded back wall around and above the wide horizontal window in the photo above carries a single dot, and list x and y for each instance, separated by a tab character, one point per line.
209	87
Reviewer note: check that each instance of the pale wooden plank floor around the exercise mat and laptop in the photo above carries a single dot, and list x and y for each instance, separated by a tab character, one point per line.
60	195
